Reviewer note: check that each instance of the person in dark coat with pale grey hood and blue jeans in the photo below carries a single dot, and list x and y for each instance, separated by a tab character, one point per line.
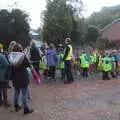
20	77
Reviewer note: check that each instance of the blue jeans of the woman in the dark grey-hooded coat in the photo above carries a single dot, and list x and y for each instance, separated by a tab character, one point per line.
24	95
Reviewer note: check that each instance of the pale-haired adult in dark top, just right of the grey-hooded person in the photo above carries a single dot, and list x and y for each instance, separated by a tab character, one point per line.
35	56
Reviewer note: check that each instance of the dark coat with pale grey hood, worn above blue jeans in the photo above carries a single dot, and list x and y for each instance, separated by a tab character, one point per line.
20	77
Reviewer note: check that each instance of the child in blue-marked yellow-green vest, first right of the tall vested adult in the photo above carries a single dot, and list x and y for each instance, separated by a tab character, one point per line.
85	63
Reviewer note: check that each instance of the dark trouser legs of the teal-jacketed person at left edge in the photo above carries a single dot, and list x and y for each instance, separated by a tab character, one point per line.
3	95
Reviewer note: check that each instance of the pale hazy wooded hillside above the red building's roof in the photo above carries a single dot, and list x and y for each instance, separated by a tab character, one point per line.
104	17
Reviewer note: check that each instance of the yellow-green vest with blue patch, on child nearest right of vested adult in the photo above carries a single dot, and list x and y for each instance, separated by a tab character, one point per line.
84	61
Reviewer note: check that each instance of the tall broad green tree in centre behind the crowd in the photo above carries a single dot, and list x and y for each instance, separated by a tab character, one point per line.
59	22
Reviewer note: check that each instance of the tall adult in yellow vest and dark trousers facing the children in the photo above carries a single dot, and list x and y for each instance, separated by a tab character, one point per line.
68	54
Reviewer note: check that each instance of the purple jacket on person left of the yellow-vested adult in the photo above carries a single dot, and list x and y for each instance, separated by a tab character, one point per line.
51	58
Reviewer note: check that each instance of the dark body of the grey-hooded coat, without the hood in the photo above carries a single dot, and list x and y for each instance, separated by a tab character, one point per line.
20	76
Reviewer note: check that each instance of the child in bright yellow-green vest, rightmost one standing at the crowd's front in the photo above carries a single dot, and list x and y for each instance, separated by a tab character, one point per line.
107	66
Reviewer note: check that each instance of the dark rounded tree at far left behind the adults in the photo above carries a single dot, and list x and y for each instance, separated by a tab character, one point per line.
14	26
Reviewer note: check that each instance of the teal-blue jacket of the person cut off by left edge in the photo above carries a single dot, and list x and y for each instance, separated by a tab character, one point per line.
3	67
